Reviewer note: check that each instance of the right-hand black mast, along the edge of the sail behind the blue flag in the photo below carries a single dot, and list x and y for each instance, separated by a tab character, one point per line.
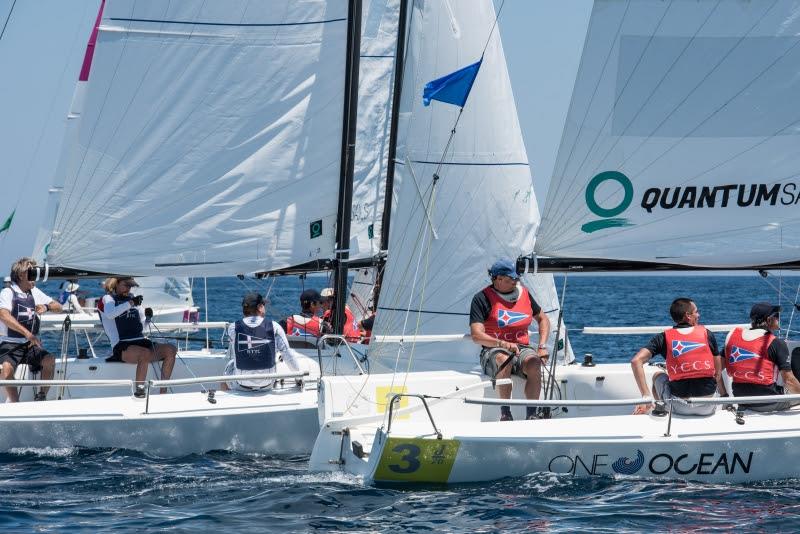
399	56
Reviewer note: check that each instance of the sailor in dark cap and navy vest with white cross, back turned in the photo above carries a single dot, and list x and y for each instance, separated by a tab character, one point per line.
256	345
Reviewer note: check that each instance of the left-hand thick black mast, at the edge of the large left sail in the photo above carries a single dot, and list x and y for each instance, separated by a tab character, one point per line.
347	162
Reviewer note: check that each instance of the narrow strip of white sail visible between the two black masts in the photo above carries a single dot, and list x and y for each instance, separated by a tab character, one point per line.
376	79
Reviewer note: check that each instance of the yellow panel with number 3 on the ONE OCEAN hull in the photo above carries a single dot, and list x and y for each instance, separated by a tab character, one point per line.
417	460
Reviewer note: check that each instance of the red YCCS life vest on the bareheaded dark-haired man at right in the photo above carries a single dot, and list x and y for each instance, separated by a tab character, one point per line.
688	355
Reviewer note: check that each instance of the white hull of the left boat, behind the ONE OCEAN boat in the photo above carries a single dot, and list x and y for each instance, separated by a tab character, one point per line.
282	421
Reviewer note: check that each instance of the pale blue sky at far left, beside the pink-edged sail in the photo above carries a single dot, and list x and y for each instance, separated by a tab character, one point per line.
41	49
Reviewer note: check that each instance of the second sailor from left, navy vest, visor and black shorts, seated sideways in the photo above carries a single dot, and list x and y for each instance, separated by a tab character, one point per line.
123	320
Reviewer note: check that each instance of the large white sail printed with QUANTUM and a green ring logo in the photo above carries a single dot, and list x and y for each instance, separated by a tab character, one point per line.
681	140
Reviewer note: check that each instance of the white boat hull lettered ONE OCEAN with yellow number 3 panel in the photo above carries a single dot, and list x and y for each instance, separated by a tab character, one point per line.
476	447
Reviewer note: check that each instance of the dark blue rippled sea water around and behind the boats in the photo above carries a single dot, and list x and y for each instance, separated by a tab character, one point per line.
95	490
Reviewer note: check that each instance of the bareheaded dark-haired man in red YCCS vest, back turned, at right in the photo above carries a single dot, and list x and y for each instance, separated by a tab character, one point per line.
694	365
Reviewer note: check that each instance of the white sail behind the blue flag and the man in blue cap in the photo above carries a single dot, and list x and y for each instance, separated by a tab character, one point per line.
484	205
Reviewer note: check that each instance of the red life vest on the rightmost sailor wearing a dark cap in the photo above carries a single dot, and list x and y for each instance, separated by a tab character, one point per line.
747	362
